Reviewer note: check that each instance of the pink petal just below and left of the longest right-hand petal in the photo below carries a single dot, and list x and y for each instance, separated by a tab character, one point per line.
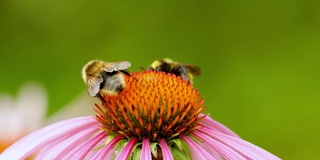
222	149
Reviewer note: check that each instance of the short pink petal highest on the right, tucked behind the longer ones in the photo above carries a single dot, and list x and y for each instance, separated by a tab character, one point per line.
211	123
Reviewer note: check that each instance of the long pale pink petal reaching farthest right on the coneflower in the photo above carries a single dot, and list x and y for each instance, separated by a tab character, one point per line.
241	146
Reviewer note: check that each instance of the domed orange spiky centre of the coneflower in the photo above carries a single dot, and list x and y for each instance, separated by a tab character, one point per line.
153	105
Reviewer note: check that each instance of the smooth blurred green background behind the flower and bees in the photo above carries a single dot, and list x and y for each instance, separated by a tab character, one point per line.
259	59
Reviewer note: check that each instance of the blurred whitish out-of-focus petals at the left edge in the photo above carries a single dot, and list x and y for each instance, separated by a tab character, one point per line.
22	115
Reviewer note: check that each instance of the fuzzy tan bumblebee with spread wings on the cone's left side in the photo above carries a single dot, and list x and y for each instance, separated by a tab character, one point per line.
105	77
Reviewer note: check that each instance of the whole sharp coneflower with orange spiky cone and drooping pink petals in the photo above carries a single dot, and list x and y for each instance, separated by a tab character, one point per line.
156	116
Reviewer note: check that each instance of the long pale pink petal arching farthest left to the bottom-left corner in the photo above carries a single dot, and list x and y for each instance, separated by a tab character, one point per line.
53	133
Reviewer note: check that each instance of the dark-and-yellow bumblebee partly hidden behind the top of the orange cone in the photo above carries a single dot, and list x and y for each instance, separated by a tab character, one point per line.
185	71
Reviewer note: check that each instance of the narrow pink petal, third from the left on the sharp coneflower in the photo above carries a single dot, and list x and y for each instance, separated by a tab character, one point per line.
82	150
